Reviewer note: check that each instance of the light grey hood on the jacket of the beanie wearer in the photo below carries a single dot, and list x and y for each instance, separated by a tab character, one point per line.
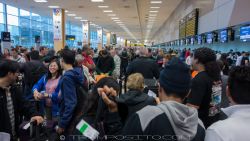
184	119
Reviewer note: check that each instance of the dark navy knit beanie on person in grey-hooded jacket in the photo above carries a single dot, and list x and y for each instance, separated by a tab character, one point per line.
175	77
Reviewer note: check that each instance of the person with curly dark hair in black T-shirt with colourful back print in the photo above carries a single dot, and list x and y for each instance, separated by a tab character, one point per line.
206	86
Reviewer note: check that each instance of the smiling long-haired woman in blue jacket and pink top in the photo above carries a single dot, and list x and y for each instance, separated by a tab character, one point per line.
47	90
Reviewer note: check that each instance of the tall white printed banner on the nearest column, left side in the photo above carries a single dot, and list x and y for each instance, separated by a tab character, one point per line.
57	24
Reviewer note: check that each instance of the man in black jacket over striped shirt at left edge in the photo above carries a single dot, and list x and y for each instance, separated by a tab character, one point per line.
12	102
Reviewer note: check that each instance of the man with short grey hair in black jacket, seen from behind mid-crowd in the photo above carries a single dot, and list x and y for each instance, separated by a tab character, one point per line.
144	65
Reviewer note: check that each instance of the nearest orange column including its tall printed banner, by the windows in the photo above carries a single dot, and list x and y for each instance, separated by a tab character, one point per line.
59	28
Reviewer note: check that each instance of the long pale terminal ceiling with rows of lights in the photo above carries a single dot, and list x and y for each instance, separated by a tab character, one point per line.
132	13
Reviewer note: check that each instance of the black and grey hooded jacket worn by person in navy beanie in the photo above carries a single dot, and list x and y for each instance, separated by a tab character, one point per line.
167	121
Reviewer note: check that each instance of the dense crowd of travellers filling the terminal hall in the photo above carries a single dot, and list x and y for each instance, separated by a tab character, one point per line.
126	93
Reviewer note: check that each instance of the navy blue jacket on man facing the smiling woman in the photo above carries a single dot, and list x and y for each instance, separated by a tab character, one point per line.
68	84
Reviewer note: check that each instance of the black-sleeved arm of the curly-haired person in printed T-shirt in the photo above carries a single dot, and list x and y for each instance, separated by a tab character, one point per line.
198	90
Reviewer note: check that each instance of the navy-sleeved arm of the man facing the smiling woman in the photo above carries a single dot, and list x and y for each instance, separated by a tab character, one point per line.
70	101
